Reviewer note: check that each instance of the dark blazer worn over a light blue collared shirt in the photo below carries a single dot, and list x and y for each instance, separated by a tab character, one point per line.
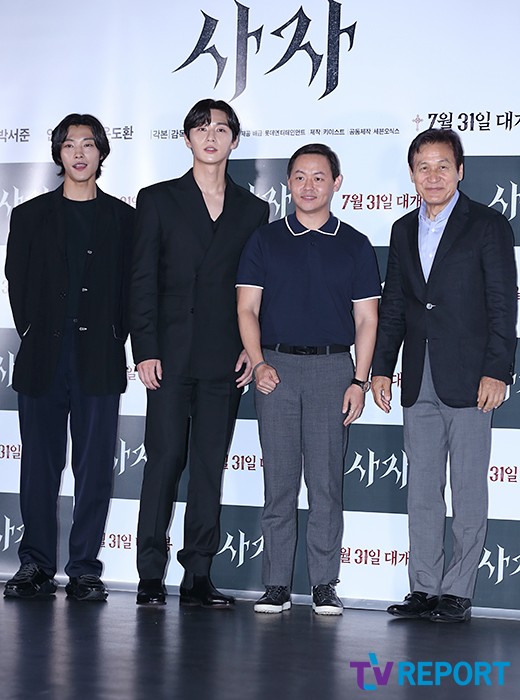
466	311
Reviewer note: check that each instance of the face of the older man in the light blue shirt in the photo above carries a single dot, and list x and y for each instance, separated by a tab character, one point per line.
435	176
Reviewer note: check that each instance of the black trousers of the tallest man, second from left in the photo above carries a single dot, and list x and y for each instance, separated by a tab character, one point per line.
198	415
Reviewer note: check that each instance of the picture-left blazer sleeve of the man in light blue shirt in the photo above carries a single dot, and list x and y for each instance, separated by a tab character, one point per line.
392	323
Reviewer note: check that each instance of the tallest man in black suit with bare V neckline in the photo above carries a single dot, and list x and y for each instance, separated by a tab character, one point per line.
190	233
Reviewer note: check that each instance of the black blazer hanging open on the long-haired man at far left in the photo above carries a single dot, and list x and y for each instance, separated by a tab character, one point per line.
36	268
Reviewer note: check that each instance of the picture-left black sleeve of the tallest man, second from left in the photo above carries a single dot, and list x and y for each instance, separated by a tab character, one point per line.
144	280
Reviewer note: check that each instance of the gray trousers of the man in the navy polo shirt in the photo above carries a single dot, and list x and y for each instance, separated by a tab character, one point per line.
301	426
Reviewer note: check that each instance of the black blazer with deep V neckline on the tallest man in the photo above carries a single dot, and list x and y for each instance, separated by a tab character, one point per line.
183	299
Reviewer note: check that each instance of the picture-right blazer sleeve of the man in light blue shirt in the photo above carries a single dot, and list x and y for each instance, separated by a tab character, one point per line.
500	279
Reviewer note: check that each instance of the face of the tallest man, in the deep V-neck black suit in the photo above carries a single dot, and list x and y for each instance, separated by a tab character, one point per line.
211	143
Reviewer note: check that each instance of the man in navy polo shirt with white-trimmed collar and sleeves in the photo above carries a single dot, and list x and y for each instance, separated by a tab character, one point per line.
308	289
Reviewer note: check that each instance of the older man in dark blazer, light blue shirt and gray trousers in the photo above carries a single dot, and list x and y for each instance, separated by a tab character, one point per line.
451	298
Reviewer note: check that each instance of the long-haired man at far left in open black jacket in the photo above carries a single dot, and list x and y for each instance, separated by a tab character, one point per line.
68	267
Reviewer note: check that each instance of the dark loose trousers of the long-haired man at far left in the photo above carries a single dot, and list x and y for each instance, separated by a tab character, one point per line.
43	428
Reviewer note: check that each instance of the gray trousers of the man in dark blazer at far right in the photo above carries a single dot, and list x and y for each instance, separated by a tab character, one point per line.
432	432
